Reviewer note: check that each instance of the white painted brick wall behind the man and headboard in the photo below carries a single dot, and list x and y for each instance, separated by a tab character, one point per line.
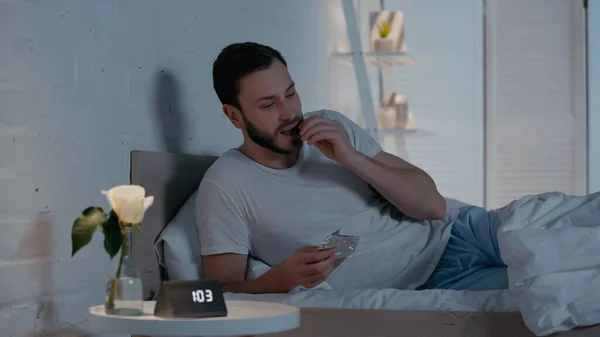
81	84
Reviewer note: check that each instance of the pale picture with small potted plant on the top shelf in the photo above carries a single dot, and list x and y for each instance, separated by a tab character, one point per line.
387	31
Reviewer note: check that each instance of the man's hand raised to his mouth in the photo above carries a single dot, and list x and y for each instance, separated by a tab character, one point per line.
329	137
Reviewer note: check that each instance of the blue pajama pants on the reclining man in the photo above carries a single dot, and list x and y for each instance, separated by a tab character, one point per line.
471	260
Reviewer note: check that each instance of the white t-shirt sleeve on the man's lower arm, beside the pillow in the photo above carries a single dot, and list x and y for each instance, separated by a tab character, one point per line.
220	222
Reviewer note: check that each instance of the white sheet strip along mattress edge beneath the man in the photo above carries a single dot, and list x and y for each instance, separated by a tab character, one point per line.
392	299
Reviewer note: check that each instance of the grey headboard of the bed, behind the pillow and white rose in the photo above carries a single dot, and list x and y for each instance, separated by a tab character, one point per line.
171	179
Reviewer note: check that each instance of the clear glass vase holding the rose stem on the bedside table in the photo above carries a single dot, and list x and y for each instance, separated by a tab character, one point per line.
124	293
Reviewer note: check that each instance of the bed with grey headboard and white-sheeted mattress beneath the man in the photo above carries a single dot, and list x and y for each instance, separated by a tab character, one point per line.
173	179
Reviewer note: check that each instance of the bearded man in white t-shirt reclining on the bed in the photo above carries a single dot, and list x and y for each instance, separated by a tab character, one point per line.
300	177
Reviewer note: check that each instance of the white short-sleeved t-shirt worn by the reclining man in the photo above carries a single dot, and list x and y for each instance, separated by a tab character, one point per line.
246	208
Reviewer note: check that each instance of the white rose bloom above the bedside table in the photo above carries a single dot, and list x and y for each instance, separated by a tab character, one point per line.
129	202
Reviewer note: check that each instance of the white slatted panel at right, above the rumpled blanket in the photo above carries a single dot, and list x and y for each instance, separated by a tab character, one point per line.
535	95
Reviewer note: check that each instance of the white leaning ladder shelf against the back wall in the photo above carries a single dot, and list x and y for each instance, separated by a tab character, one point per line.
359	59
